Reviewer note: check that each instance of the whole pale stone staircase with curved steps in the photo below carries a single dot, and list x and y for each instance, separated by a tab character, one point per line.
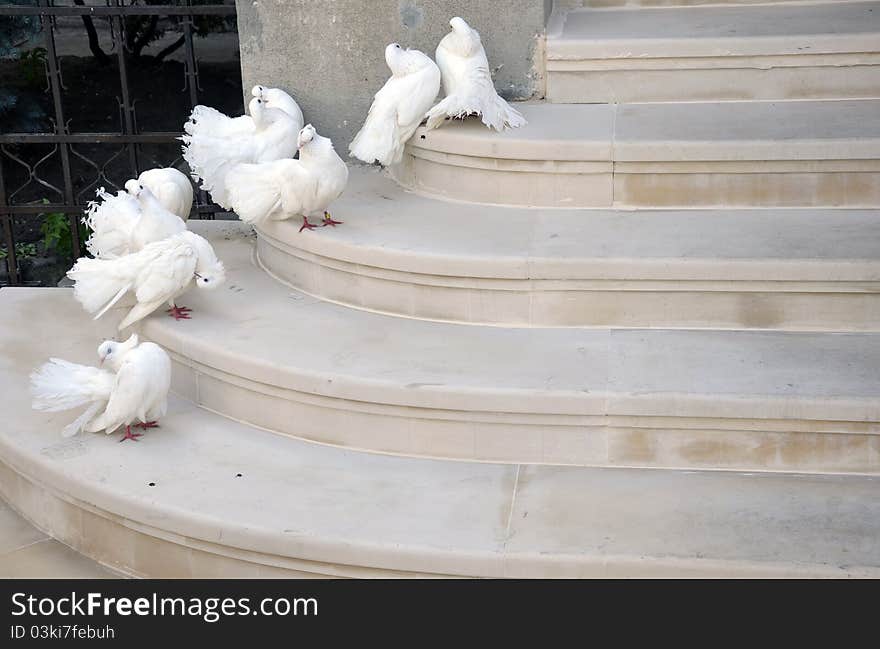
629	339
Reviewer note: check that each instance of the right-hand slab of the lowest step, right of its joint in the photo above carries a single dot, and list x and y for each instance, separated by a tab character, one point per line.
649	509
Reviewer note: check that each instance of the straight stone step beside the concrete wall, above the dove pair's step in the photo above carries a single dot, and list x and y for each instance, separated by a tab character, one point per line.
714	53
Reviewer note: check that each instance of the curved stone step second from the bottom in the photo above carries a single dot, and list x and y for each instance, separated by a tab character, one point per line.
261	353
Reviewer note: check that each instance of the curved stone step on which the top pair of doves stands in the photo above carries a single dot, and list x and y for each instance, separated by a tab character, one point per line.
721	154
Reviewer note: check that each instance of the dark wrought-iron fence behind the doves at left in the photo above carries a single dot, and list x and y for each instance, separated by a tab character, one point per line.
60	141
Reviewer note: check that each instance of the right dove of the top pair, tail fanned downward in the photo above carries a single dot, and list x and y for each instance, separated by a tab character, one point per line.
468	82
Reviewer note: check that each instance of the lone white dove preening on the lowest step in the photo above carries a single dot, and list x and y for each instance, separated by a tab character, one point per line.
135	387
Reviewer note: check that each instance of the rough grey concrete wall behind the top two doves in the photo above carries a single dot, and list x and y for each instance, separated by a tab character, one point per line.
330	55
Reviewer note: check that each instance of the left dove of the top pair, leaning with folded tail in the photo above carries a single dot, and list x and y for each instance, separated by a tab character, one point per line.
398	108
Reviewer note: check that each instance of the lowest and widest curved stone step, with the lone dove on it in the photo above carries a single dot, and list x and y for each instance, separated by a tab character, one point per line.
203	496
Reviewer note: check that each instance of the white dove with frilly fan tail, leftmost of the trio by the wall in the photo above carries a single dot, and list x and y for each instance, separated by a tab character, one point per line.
214	143
